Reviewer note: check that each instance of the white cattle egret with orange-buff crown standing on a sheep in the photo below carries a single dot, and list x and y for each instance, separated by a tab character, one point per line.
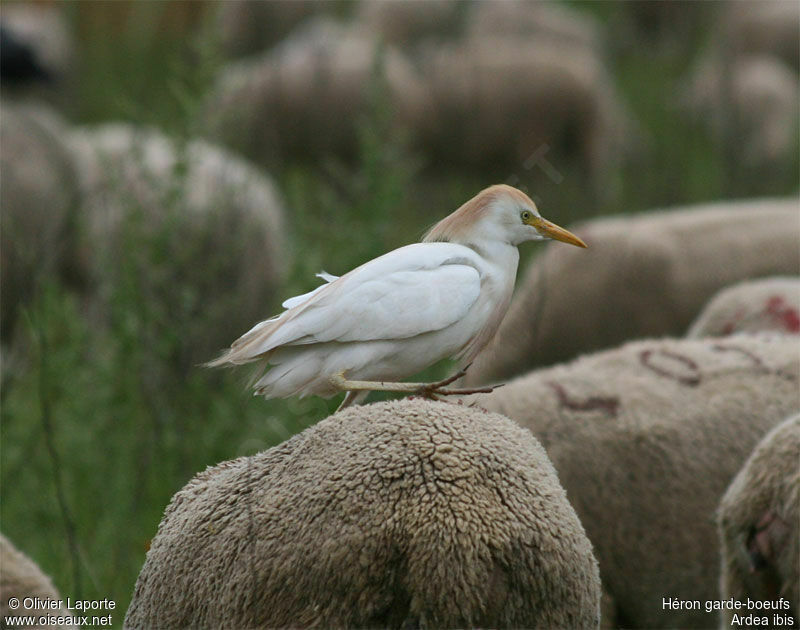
401	312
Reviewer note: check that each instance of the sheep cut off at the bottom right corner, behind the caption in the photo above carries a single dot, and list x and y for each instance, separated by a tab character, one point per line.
758	526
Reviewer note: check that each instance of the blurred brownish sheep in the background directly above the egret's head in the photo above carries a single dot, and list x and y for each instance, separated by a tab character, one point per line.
520	98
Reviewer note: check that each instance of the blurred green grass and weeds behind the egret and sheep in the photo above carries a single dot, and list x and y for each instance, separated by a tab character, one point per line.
101	425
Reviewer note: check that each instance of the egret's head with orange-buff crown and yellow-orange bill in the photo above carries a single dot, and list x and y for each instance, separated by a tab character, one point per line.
499	213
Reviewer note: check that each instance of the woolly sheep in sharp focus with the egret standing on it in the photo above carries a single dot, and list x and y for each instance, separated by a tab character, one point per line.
399	514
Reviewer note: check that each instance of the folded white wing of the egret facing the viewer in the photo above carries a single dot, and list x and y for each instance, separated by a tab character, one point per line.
409	291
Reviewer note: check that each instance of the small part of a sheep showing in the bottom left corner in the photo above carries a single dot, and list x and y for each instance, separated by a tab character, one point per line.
20	578
